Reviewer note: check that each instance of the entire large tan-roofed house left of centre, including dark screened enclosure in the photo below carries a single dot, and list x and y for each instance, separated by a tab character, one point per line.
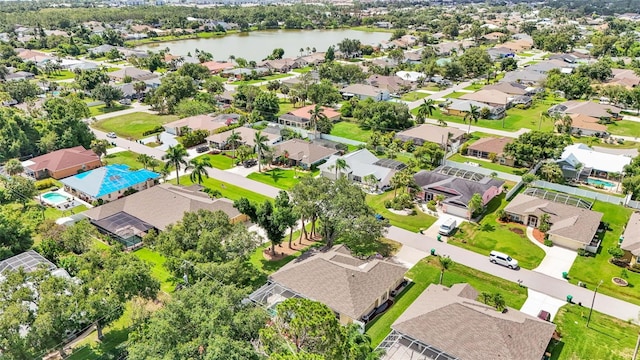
129	218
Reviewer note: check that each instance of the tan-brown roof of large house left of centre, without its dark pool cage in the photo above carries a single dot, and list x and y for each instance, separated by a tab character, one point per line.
163	205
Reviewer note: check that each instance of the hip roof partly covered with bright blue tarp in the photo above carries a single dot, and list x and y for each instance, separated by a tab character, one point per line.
108	179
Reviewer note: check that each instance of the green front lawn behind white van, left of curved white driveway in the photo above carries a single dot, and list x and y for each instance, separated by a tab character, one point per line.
489	234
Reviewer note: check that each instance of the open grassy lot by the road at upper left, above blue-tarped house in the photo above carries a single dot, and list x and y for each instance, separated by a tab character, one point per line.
134	124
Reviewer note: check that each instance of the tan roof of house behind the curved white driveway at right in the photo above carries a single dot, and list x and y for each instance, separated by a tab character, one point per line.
567	221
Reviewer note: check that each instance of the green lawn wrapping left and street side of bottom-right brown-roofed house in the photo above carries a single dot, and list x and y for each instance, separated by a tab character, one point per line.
427	272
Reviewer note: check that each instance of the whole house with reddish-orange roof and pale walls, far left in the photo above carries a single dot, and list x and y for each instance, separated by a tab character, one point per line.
61	163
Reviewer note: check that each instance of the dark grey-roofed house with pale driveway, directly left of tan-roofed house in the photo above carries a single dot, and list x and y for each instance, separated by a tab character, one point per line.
457	191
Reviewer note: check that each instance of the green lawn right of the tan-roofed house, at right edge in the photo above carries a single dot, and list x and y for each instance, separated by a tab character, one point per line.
591	270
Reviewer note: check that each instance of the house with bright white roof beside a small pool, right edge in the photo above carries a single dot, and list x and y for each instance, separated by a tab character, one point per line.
579	161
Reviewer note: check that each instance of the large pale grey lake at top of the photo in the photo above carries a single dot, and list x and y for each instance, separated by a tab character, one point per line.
257	45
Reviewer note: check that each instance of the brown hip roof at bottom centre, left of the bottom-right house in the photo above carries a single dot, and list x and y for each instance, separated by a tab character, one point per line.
347	285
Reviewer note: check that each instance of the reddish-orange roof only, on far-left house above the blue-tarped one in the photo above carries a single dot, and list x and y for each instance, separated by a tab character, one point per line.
62	159
